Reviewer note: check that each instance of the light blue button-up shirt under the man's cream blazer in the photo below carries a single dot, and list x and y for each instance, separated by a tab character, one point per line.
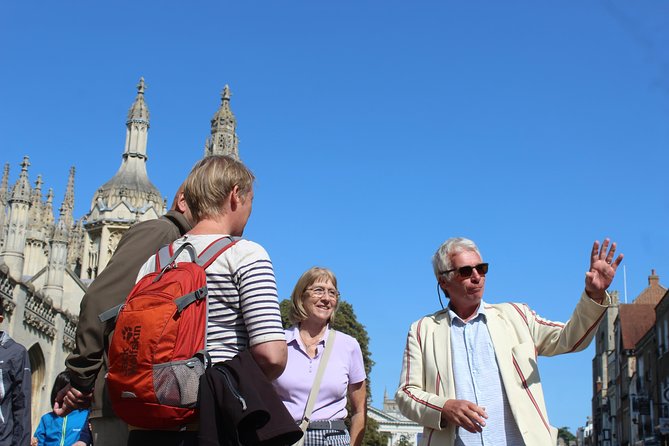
477	379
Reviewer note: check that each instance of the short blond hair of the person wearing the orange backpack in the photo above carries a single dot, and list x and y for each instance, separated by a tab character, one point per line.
211	181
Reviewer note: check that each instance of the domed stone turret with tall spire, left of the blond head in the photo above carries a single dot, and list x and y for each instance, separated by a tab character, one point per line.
127	198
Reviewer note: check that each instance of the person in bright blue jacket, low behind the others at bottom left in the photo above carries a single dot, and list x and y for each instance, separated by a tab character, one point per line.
60	431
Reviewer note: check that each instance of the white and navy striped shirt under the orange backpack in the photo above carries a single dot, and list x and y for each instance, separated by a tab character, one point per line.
243	299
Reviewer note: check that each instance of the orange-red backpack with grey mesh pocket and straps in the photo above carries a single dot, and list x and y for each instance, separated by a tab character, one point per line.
157	352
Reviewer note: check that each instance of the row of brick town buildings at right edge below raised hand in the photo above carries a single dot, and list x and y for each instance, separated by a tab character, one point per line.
628	382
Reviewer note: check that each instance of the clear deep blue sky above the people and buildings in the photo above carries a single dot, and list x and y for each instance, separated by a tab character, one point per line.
377	129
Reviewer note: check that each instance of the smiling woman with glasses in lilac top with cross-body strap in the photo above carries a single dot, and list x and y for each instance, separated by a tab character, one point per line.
313	305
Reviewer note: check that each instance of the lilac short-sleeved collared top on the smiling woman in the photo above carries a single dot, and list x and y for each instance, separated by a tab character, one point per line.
344	367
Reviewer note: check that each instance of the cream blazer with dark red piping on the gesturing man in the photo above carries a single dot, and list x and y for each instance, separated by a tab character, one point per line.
518	335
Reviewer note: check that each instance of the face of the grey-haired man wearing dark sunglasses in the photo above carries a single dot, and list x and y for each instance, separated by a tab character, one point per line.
464	292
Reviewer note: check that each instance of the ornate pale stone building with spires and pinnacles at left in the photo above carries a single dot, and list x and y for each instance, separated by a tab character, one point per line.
46	264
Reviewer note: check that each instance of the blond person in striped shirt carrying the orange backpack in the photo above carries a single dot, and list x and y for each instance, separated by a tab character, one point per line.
242	295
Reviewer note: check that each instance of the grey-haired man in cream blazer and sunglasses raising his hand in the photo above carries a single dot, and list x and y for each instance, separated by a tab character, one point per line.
469	373
